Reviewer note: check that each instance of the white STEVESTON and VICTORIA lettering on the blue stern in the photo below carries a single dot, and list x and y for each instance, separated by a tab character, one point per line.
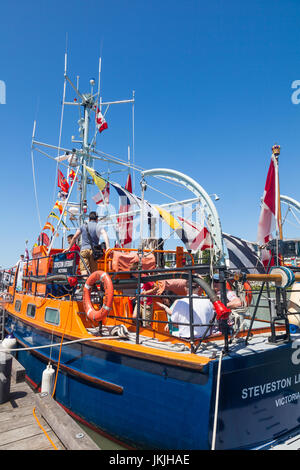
277	385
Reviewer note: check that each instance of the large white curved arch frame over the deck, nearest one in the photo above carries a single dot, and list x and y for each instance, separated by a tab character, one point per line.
213	219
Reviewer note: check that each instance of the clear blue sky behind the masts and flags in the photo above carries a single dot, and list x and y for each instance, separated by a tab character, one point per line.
213	94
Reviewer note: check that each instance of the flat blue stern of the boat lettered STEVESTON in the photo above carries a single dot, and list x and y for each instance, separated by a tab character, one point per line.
260	397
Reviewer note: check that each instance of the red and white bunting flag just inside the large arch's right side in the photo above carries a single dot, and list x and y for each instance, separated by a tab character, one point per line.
193	236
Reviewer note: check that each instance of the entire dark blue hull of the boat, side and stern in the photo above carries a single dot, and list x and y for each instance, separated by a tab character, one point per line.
151	405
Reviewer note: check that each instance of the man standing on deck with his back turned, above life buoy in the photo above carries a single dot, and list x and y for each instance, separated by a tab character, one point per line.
89	235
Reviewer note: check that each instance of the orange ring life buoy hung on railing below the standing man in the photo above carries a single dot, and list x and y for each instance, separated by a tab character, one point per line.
91	313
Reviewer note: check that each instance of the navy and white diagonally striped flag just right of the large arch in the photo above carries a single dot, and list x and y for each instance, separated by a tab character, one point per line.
242	255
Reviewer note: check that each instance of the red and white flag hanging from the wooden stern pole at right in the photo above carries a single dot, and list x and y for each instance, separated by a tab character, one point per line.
268	214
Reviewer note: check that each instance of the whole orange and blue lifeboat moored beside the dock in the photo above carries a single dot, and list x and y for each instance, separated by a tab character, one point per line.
234	388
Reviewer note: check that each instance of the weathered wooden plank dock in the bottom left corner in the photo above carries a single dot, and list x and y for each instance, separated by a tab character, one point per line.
19	429
